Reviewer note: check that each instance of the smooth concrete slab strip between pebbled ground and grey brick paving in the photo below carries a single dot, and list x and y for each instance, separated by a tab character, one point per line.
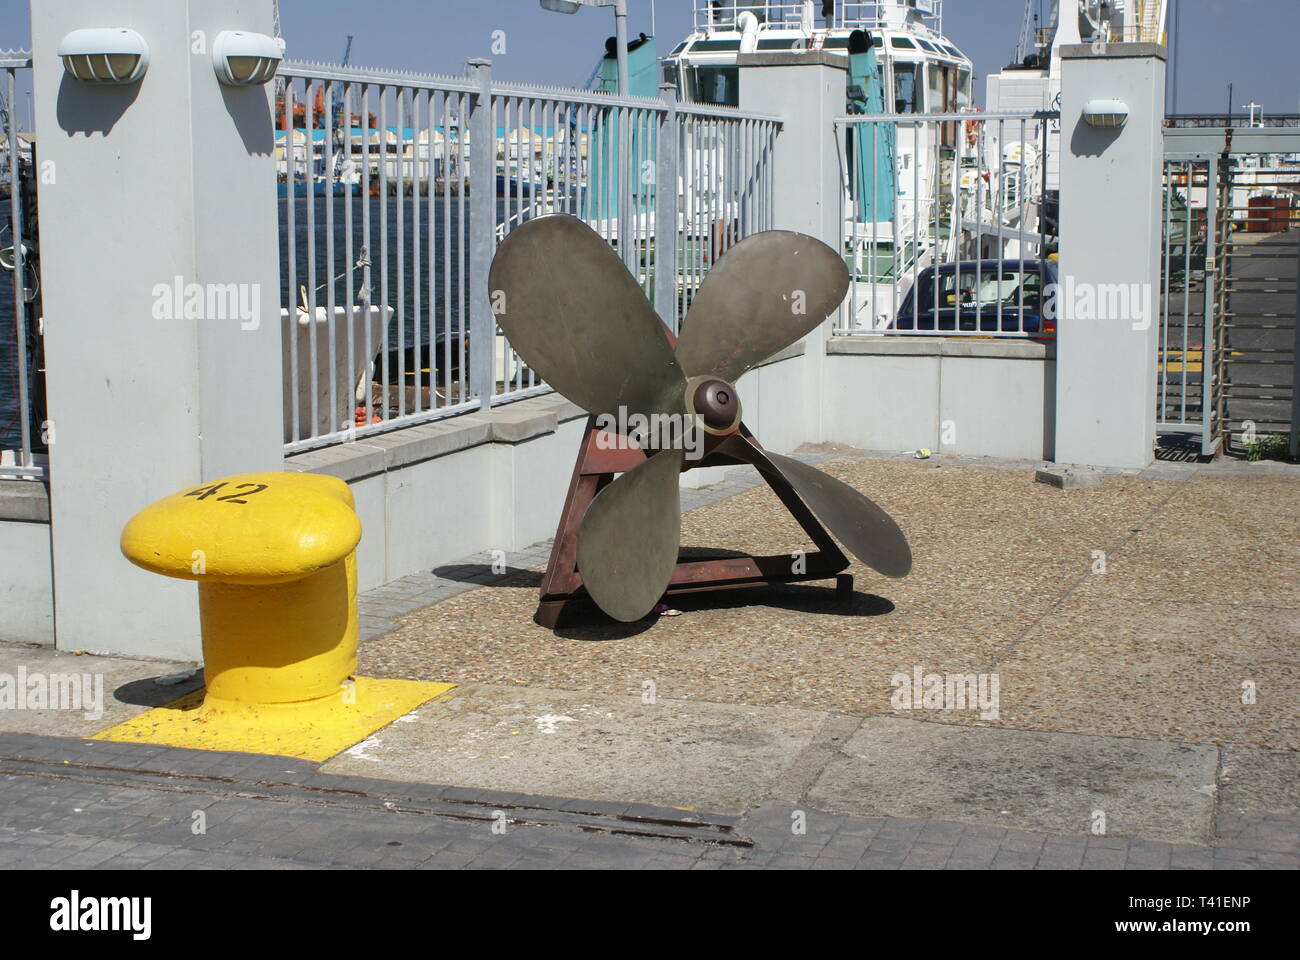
730	758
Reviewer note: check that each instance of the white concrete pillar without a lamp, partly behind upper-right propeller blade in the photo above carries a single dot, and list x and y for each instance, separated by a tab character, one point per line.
808	92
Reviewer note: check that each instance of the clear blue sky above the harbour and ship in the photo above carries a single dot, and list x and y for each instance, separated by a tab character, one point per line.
1251	44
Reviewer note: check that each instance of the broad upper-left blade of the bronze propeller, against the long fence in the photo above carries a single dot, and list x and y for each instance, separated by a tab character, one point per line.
578	318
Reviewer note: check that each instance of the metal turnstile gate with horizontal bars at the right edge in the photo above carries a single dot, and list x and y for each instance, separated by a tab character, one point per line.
1228	340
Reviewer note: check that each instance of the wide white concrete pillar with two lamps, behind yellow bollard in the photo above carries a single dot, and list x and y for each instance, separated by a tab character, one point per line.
163	184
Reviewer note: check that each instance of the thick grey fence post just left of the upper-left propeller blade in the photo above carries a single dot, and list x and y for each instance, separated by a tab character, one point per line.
483	236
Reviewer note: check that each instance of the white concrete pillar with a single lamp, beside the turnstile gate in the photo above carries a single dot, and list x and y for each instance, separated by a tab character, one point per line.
1111	235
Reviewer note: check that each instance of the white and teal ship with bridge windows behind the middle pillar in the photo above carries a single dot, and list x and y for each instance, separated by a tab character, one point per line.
900	176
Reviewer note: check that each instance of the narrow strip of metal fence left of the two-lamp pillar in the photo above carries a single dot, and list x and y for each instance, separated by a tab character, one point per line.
23	448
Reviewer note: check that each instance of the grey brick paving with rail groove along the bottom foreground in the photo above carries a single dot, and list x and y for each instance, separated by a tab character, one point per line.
83	805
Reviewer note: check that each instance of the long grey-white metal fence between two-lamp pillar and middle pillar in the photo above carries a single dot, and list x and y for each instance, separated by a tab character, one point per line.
392	209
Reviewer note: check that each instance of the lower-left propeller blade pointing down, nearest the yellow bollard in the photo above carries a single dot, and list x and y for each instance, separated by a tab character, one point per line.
627	547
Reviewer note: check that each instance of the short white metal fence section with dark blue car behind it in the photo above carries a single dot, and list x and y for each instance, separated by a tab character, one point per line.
948	224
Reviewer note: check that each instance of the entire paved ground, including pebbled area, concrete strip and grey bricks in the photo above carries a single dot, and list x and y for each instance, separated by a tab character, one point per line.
1112	747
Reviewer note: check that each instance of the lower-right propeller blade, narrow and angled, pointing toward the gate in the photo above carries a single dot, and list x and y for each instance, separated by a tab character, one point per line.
870	534
